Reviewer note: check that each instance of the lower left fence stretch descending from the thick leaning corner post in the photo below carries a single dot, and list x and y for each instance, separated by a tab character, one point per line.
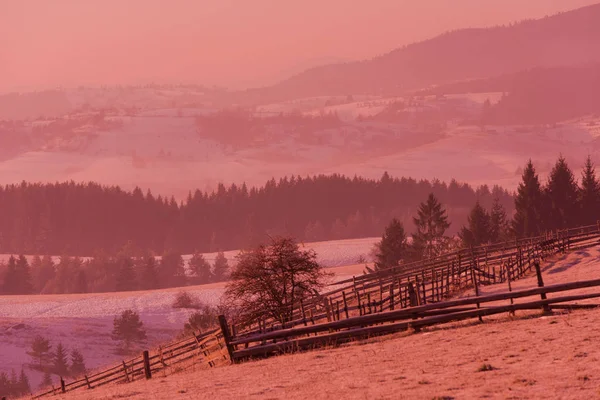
207	348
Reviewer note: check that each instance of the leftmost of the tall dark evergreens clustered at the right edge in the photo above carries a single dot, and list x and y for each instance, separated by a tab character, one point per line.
528	204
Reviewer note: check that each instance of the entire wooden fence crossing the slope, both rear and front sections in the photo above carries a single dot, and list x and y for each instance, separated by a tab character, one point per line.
386	301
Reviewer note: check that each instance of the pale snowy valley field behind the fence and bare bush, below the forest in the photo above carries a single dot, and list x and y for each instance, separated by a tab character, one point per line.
85	320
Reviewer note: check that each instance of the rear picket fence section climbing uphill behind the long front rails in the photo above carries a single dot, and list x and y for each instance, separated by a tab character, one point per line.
430	280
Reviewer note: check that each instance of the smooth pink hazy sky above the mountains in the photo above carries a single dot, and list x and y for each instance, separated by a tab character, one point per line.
235	43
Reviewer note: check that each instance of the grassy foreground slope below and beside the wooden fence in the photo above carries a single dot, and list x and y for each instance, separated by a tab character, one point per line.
531	356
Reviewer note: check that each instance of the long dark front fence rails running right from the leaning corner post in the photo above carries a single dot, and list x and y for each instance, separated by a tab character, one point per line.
360	327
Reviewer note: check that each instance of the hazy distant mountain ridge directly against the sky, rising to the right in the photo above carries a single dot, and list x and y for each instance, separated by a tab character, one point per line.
565	39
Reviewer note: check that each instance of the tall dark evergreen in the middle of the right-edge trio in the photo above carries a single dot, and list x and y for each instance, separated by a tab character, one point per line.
561	193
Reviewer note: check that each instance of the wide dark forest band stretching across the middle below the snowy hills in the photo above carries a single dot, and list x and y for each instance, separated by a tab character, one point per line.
87	219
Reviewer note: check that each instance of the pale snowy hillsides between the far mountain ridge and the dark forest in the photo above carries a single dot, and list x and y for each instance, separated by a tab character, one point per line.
162	149
